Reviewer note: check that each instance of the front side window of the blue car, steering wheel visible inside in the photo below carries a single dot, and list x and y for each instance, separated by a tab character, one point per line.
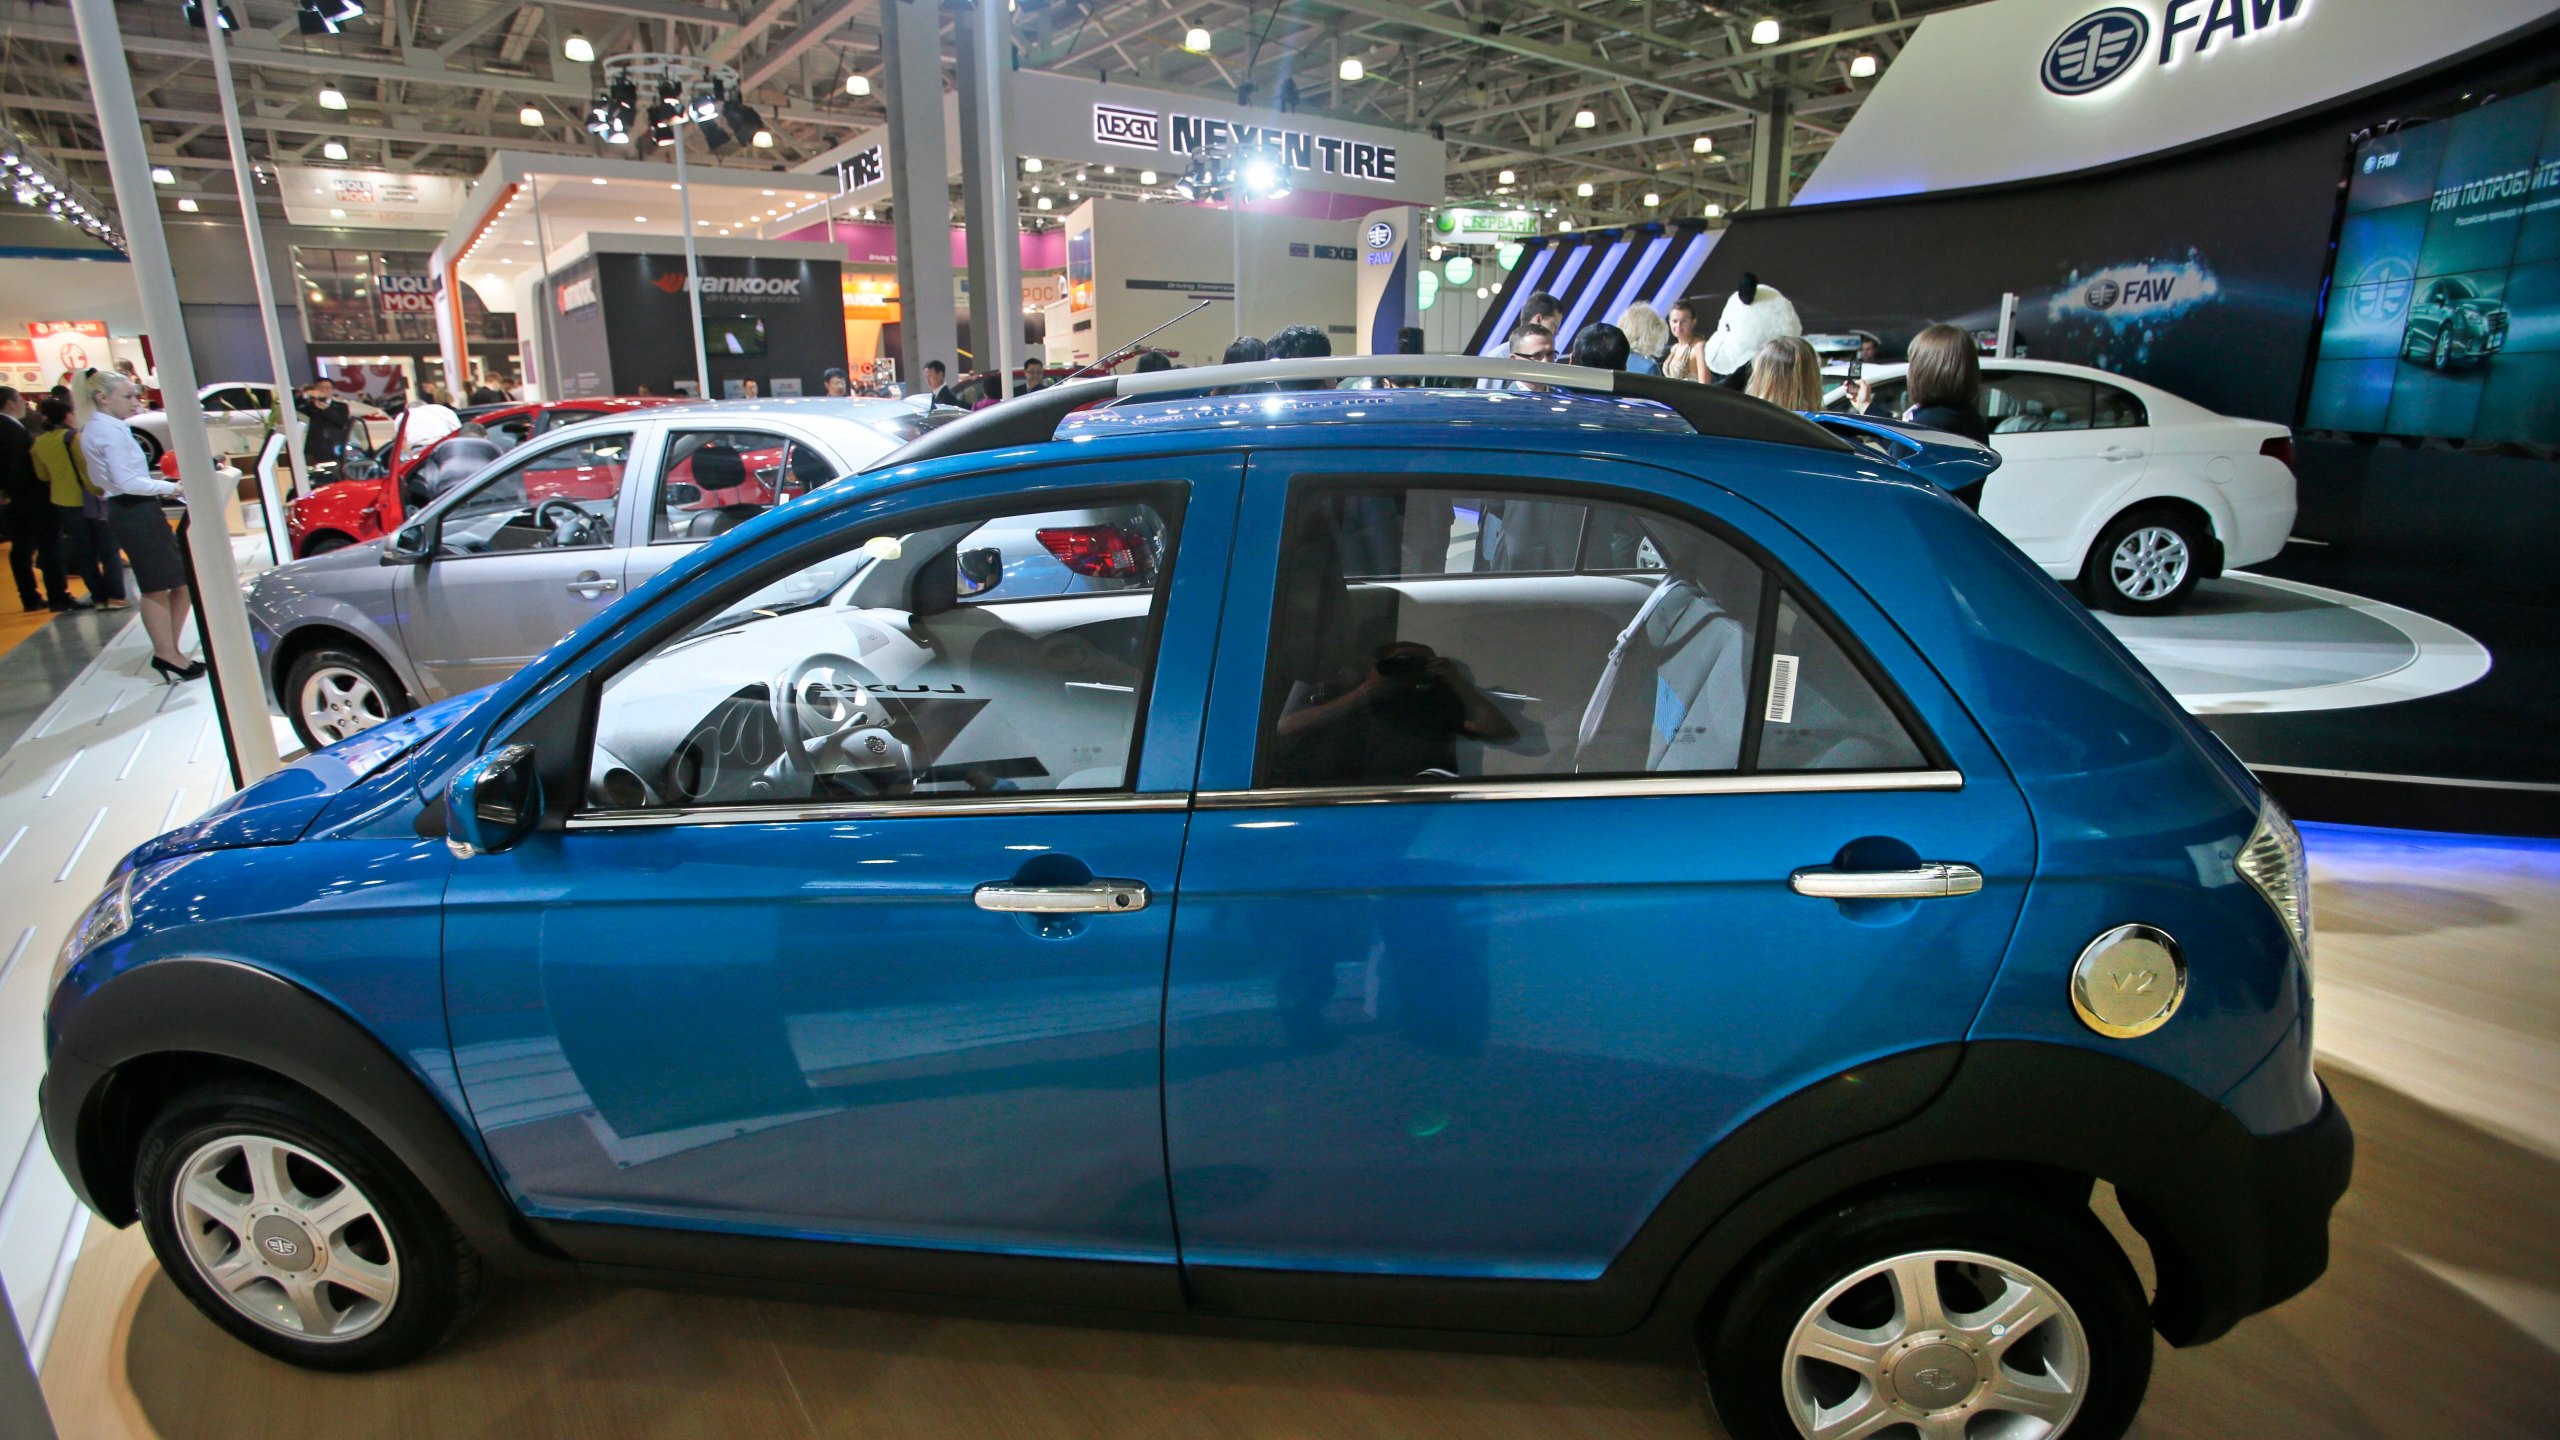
869	675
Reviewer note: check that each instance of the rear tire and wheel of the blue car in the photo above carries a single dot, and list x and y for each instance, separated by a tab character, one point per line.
1980	1262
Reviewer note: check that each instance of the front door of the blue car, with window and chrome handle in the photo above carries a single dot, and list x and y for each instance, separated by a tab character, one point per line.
861	924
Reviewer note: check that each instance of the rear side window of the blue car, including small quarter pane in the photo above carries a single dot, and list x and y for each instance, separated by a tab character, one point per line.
1430	637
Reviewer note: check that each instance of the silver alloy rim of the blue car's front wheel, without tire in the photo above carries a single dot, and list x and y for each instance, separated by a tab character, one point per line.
285	1239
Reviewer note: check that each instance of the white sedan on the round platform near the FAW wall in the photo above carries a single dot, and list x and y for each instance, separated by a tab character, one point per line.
2124	486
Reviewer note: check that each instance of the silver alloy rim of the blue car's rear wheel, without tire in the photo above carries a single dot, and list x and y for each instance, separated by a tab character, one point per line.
1944	1344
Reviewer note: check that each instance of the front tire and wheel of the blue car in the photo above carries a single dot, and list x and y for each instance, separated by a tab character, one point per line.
298	1234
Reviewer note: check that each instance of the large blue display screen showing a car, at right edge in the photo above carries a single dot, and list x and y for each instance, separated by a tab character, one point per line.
2444	311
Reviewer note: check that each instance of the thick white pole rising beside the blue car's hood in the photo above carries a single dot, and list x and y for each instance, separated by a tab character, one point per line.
239	698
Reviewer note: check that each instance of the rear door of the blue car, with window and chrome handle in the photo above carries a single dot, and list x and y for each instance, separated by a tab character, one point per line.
1491	924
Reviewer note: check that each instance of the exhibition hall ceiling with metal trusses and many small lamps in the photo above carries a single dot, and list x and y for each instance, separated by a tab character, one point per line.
1535	99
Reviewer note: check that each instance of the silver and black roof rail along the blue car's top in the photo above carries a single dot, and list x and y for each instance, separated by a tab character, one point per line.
1033	419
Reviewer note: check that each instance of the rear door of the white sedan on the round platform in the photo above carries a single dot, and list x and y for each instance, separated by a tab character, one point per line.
2057	475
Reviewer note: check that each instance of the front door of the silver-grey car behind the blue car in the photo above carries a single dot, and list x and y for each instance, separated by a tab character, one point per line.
524	555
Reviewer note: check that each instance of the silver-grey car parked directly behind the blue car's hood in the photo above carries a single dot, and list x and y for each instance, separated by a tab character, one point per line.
547	537
